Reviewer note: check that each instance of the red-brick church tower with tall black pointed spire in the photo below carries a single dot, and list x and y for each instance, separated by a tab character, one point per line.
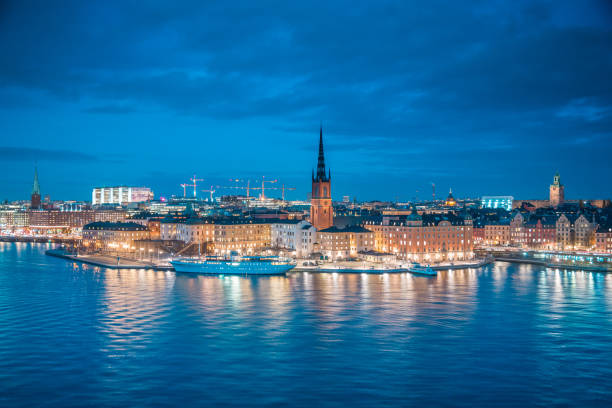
321	210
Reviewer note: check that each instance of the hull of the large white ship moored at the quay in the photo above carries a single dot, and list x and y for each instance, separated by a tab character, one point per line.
232	268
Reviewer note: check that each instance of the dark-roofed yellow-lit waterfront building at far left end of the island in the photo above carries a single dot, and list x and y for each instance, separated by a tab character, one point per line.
112	237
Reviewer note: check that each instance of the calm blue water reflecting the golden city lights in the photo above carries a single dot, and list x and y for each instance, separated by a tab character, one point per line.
511	335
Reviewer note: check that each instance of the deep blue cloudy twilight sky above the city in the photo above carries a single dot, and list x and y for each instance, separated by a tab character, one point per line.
486	97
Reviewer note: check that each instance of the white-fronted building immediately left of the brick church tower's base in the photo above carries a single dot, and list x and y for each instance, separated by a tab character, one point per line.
293	235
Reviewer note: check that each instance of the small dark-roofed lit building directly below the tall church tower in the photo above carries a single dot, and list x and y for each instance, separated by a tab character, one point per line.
342	243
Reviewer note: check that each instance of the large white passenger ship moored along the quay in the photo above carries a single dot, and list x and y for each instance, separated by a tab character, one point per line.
234	265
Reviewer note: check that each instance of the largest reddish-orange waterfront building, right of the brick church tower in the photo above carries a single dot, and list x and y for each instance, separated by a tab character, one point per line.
426	237
